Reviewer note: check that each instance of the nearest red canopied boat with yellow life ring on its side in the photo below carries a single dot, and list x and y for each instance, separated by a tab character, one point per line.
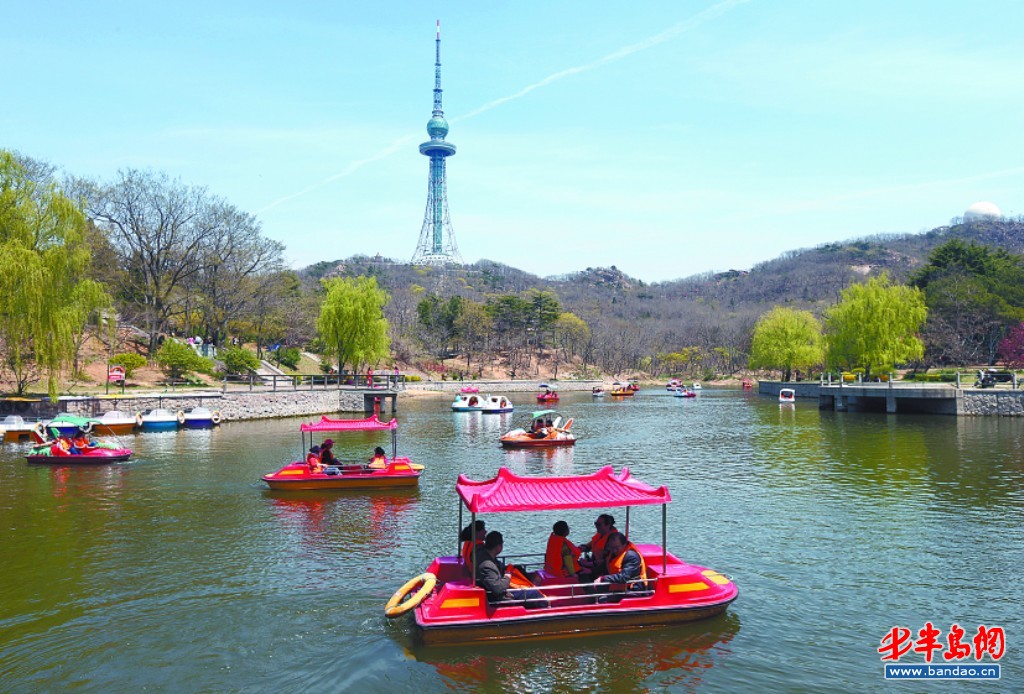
456	611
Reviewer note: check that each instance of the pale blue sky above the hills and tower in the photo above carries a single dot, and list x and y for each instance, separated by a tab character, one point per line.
666	139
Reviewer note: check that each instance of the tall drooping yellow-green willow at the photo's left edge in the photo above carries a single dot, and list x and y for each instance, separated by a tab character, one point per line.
45	257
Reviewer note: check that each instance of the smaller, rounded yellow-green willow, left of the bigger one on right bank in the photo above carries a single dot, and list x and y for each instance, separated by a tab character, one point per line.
787	339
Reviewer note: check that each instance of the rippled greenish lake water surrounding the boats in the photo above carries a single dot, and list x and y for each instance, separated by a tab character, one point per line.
181	572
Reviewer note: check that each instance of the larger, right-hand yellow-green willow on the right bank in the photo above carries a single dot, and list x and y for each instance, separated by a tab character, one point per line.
876	326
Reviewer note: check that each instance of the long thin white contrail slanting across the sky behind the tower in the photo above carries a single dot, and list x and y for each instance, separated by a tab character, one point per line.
701	18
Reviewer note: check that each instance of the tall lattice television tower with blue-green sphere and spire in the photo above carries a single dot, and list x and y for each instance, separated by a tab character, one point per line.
437	245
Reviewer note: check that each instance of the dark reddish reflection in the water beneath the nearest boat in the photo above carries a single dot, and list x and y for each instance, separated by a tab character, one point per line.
659	659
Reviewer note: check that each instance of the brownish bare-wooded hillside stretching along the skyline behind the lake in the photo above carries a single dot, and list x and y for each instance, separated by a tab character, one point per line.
703	323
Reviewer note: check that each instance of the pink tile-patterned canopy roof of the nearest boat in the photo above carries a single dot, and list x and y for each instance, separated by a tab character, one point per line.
604	489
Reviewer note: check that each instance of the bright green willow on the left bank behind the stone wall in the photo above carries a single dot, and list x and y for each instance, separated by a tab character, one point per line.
352	322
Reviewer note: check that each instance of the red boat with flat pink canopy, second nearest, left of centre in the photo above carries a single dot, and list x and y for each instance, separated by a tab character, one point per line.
395	472
